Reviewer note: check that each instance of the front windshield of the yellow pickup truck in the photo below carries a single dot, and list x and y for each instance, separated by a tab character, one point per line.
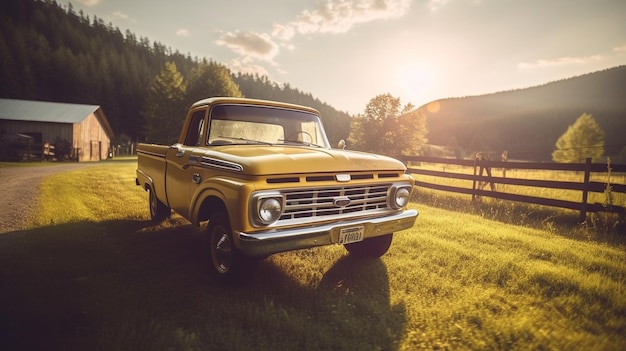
250	124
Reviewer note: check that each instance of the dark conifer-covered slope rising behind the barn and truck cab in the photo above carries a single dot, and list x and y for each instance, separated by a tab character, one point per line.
52	53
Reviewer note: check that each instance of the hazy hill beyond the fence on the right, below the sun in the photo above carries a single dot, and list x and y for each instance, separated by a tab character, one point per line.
527	122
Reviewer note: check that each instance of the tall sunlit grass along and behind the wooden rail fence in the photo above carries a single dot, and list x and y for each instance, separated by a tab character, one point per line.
601	226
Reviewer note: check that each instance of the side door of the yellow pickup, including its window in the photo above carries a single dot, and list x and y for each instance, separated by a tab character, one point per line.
179	174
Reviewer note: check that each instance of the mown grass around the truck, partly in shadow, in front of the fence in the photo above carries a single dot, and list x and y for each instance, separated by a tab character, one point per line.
94	274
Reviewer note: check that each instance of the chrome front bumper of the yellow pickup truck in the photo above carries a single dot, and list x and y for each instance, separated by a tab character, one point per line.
275	241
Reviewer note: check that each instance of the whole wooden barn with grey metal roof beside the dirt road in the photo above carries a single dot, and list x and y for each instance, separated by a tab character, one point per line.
79	132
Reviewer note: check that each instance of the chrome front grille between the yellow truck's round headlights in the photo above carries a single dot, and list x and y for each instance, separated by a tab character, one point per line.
320	202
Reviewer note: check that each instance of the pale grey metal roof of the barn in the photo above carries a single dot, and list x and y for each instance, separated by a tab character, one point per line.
53	112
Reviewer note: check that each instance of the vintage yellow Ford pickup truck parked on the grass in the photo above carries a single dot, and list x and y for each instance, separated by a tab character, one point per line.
264	177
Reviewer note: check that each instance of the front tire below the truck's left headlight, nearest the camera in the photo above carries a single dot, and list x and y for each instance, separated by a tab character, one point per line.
227	262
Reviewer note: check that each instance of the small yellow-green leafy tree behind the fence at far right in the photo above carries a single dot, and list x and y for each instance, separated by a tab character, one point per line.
583	139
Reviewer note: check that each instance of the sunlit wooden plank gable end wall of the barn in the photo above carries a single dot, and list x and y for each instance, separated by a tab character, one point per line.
91	139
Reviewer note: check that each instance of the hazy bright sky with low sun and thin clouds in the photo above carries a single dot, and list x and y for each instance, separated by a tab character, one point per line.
346	52
